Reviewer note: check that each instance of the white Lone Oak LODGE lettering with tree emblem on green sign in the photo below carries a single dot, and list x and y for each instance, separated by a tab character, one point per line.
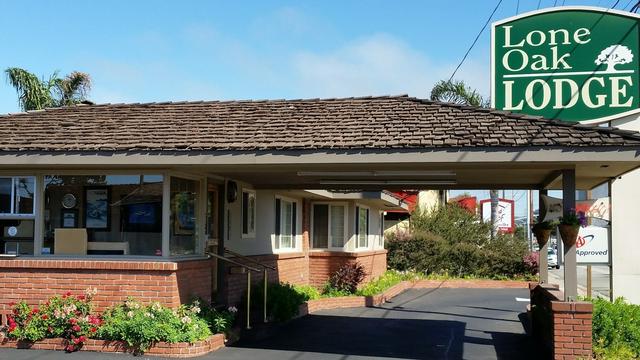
539	73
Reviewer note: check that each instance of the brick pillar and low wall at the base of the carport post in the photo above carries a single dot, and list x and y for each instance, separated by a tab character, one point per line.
563	329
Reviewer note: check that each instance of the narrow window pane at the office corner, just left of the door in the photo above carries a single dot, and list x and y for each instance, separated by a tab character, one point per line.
184	221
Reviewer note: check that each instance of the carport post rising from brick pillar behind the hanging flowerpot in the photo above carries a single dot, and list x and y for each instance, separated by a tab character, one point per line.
570	261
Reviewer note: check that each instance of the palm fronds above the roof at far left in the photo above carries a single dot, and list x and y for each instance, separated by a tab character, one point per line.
36	94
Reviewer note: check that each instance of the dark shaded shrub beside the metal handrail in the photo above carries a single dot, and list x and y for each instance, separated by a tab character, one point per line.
283	300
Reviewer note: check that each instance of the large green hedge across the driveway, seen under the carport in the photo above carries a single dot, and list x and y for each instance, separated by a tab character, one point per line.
450	240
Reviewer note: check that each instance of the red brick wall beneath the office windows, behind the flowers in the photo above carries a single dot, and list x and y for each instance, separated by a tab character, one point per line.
169	283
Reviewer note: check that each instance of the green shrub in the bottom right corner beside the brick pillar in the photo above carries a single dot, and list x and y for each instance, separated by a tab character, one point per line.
616	329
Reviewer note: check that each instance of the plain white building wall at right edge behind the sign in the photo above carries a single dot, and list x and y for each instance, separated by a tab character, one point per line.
625	251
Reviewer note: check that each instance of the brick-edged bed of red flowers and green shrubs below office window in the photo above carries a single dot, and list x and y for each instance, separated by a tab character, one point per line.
67	323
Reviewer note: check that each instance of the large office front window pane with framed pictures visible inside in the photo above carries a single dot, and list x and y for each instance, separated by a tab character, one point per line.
120	214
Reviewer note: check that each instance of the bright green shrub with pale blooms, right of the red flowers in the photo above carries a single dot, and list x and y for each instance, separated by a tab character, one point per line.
142	325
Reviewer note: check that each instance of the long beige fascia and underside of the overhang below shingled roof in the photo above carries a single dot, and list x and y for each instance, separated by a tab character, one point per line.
366	169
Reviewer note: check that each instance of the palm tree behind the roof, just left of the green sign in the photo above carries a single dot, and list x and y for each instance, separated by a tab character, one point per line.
458	92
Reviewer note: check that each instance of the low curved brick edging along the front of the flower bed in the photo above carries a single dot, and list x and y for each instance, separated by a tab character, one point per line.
177	350
